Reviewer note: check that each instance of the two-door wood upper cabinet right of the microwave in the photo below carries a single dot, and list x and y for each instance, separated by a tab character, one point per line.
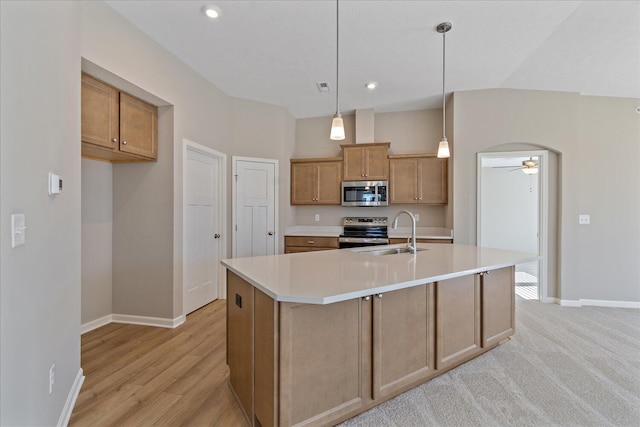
417	179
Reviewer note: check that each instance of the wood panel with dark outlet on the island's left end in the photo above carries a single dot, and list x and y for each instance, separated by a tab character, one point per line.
240	340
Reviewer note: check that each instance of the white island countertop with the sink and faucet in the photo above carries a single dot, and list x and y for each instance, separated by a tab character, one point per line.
326	277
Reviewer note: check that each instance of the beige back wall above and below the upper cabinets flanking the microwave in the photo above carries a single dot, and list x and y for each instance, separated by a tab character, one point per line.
409	132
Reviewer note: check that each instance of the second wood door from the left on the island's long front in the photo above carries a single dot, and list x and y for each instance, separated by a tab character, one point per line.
403	339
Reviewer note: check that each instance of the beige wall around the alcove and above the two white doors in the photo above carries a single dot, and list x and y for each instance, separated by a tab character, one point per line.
147	198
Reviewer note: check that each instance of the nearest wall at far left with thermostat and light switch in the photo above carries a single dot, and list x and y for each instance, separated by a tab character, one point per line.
40	281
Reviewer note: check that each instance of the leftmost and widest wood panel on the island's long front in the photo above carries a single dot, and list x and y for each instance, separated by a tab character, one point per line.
325	353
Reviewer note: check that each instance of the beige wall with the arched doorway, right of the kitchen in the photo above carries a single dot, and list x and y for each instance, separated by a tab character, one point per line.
581	129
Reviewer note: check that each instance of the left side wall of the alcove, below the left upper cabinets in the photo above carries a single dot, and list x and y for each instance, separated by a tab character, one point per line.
97	237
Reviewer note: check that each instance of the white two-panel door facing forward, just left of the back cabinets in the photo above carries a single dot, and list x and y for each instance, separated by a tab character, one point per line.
255	193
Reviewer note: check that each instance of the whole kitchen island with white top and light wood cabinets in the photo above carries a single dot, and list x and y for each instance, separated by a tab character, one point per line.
316	338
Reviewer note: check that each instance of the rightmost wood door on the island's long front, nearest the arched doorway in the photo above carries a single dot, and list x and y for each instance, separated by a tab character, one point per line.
498	305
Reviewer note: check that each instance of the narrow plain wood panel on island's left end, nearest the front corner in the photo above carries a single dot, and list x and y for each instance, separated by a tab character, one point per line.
266	359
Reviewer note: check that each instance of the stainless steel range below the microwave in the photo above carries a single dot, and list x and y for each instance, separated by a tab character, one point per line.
363	231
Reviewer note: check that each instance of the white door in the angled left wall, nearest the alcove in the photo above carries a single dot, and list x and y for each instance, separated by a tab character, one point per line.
203	224
